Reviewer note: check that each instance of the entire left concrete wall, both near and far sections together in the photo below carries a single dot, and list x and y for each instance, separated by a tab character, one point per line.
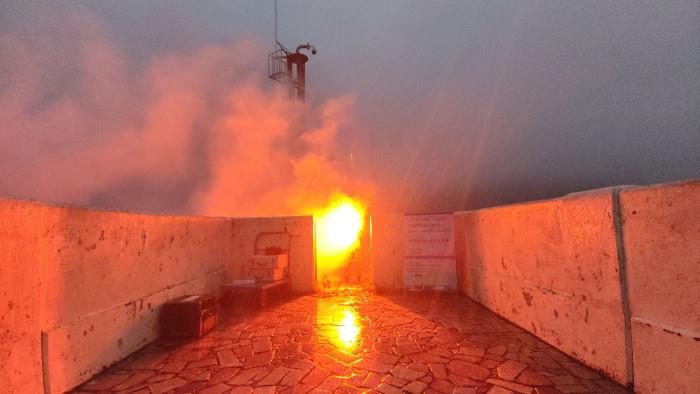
82	288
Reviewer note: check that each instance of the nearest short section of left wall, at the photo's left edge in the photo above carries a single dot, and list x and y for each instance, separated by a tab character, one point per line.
20	342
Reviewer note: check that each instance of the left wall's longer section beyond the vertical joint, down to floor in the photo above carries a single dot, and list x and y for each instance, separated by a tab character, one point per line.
104	276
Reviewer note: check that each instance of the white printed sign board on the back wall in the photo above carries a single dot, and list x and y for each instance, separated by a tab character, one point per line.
429	252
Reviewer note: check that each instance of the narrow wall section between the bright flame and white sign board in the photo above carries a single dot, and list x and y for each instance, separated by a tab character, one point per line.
387	251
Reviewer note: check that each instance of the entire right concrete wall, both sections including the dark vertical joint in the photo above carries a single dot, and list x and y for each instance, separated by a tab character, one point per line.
610	277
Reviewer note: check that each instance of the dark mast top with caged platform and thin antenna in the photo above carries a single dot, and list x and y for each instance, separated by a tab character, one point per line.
287	67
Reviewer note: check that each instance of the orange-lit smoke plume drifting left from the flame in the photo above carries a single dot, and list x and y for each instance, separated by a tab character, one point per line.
200	131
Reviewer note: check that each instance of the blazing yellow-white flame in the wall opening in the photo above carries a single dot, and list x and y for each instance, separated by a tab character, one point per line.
338	230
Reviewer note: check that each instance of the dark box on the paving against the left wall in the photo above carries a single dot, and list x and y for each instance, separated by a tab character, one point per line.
189	316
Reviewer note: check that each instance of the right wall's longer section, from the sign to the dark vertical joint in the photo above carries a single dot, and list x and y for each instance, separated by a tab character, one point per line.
551	267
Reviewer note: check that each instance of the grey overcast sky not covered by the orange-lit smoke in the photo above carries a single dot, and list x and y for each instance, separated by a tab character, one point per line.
465	104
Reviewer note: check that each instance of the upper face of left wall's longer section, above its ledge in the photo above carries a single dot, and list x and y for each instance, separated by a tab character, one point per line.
96	260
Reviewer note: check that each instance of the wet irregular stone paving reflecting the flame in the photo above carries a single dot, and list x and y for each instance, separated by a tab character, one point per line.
356	341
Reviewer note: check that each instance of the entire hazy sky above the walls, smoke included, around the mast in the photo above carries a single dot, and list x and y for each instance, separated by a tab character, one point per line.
412	106
